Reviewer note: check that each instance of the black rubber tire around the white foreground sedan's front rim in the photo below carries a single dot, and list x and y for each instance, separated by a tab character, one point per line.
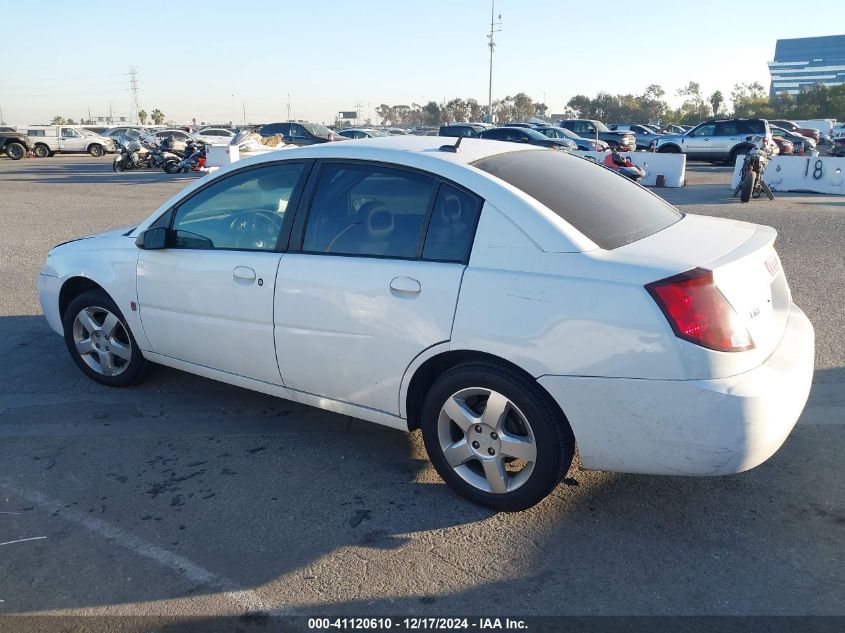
131	369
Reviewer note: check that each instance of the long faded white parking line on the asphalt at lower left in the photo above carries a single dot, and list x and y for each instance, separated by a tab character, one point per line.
246	599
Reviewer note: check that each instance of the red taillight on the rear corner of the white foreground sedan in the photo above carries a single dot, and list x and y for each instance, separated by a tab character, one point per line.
698	312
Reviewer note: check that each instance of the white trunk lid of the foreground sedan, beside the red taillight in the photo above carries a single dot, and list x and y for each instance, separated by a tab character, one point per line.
746	269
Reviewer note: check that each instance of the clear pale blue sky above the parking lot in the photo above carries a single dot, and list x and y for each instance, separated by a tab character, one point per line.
212	60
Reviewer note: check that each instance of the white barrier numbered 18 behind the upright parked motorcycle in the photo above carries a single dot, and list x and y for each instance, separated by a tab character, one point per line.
816	174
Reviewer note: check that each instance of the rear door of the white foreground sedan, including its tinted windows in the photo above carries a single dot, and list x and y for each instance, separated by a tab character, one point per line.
375	280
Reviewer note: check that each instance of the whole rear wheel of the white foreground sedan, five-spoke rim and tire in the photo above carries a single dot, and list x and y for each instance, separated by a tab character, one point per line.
495	436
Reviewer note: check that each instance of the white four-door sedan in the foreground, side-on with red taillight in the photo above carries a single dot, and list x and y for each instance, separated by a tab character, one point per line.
509	301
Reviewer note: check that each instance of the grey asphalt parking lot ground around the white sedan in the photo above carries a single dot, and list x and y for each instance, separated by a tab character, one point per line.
190	497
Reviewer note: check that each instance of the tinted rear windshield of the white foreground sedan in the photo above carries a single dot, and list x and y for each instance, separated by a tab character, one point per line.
606	207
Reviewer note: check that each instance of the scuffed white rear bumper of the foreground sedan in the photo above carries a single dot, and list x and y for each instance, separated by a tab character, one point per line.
691	427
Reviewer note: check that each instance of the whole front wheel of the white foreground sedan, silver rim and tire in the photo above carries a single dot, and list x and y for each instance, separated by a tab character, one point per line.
100	341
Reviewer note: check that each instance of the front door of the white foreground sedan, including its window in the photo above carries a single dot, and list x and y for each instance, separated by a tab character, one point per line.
207	298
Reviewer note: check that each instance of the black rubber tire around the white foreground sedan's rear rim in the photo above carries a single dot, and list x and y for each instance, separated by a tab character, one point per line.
553	439
